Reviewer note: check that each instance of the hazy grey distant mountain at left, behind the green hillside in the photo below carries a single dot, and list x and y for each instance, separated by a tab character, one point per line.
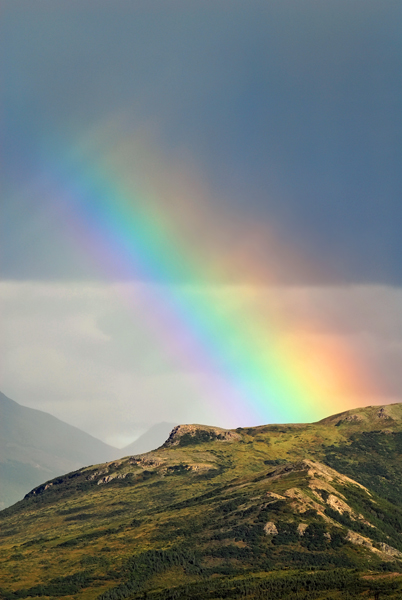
34	447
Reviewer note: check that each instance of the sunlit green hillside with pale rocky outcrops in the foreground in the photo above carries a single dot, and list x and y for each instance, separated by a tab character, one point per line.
295	512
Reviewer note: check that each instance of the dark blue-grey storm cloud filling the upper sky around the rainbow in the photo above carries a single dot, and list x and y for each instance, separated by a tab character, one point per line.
292	109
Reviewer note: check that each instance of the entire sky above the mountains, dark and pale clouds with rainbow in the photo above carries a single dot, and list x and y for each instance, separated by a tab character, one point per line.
201	208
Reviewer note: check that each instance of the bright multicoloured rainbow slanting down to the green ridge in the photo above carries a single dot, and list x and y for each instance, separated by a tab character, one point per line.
248	368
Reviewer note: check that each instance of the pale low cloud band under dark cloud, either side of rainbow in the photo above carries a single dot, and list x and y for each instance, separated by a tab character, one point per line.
82	353
